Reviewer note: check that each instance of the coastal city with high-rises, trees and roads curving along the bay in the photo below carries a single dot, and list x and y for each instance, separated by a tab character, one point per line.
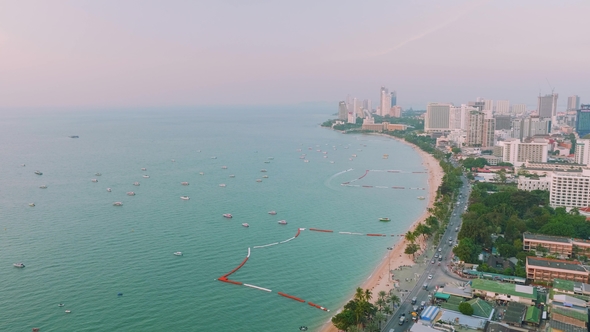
514	204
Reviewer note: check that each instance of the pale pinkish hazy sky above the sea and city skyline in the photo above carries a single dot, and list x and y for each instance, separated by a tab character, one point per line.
176	53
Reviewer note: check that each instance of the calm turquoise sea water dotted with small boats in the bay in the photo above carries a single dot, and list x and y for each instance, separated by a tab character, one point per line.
82	251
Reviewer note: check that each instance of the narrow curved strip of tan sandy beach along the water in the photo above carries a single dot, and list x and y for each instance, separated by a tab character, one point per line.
378	280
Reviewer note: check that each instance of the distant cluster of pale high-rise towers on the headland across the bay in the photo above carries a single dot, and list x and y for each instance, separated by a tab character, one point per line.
352	108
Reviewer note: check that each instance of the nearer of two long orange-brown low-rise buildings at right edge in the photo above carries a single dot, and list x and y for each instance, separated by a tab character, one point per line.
545	270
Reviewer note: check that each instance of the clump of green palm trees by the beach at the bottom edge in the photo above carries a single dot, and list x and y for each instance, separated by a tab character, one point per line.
359	314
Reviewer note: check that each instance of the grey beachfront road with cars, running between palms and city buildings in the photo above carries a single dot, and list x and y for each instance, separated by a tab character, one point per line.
440	273
